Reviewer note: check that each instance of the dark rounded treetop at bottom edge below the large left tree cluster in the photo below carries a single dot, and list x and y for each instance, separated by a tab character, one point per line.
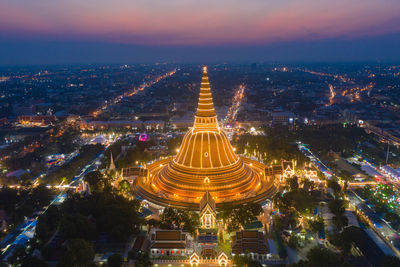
79	253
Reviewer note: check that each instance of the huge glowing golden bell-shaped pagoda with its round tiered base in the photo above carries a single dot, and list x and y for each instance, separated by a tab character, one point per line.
206	162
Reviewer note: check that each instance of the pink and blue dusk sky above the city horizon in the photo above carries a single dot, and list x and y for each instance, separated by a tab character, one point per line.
94	31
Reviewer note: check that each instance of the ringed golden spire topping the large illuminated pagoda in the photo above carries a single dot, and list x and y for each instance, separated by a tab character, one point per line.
205	118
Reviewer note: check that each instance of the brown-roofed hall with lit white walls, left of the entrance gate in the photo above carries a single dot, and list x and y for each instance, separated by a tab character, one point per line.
170	243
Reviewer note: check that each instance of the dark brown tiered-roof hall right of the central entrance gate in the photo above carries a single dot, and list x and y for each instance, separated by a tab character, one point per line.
249	241
